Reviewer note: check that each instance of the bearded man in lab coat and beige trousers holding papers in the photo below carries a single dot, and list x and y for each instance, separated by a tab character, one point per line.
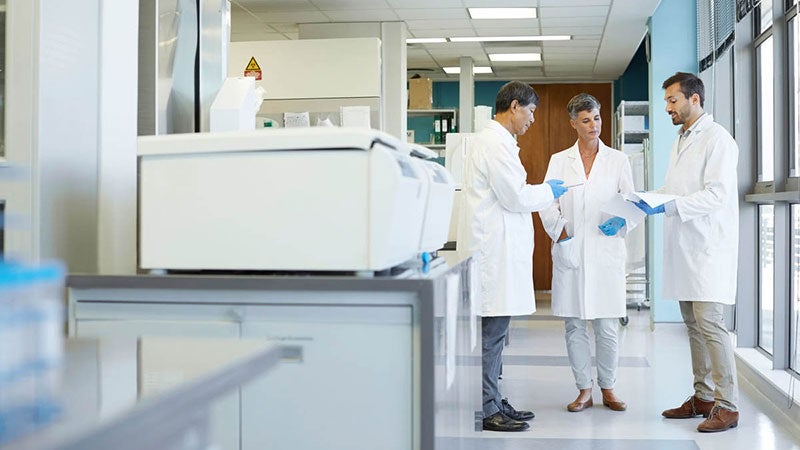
701	237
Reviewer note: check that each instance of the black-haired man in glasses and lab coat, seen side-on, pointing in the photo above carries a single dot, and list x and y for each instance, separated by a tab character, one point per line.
497	229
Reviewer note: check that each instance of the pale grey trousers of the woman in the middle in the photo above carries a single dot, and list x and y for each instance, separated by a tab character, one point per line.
580	353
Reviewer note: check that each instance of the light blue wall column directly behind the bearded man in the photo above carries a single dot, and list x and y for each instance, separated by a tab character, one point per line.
673	48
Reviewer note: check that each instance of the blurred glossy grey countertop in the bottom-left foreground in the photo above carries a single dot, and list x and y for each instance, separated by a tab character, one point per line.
148	393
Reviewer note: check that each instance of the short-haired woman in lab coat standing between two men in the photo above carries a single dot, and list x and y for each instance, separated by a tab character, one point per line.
589	251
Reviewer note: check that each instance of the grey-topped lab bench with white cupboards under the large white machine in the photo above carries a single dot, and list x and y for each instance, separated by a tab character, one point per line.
393	361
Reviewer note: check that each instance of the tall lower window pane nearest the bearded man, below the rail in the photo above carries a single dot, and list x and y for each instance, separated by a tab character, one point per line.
766	254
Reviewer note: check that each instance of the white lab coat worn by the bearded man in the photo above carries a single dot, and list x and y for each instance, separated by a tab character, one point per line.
701	242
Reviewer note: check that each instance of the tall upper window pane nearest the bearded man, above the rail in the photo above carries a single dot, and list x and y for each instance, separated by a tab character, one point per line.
766	147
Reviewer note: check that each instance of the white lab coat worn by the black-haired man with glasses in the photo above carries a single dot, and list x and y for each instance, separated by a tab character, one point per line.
496	226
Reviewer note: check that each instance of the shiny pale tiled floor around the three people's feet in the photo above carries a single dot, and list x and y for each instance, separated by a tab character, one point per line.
654	374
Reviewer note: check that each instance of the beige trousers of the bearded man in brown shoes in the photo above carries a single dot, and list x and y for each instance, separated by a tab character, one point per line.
713	363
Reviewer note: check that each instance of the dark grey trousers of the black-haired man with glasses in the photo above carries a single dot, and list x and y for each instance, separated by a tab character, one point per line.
493	336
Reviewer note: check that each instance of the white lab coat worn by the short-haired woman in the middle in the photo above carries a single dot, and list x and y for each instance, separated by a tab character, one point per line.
589	269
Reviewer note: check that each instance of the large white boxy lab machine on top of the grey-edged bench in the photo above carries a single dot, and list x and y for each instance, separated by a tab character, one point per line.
301	199
